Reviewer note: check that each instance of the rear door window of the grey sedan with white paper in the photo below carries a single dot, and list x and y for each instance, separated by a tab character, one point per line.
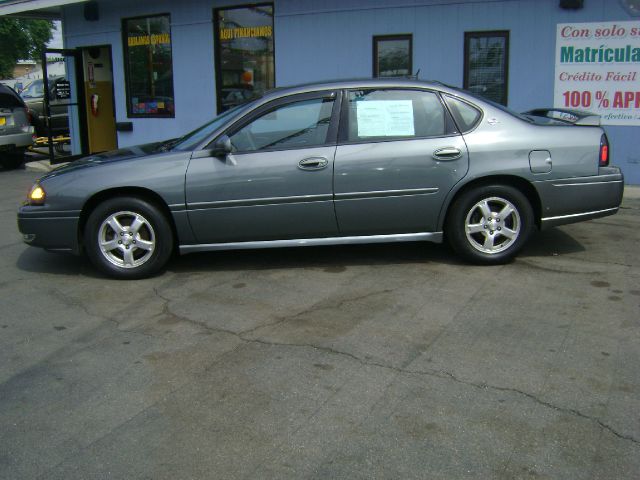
394	114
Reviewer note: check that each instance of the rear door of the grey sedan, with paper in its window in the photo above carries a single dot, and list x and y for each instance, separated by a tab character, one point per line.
398	156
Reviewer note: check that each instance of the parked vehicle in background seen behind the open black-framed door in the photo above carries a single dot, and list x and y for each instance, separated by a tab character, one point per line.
33	95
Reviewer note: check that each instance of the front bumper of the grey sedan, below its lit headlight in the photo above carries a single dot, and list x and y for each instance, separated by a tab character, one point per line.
50	230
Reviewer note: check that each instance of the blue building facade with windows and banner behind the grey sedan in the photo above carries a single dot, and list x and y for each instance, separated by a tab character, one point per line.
167	67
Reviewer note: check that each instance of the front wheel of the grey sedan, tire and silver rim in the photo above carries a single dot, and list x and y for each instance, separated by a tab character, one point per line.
128	238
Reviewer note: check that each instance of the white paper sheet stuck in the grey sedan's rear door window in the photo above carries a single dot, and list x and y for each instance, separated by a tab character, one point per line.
385	118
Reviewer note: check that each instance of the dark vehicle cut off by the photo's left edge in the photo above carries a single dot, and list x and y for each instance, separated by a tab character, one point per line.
16	133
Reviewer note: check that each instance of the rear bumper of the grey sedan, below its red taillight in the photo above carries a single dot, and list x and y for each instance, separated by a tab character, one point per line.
571	200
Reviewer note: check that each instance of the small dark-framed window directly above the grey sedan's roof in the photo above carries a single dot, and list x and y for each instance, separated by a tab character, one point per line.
392	56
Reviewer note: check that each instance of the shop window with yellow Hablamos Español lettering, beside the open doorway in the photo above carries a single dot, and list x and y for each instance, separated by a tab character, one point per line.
149	67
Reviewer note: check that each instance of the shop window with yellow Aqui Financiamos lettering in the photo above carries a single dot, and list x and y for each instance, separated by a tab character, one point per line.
244	53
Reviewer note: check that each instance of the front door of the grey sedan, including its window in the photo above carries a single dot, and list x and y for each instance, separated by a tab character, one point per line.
277	183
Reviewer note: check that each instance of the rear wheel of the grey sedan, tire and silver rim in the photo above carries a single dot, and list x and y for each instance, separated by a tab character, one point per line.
490	224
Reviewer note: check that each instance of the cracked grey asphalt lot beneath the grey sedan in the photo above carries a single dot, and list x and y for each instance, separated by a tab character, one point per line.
385	361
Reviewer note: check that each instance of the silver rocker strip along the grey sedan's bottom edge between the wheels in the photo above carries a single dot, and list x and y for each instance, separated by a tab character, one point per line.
435	237
